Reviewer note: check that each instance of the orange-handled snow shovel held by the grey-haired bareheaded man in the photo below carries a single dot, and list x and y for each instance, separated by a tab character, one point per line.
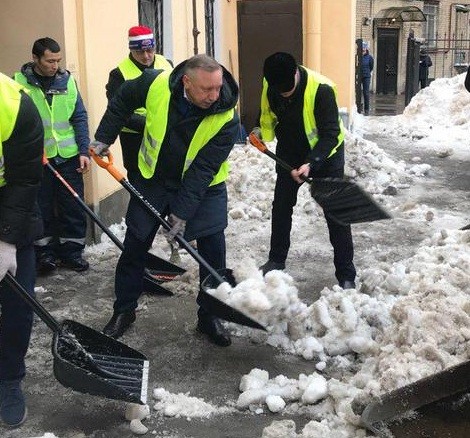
211	303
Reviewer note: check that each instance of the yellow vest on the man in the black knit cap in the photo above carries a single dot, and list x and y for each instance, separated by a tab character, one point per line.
268	119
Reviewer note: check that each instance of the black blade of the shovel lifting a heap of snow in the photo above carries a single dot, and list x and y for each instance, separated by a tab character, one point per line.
218	308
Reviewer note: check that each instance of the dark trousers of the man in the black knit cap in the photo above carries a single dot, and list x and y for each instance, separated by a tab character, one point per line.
285	198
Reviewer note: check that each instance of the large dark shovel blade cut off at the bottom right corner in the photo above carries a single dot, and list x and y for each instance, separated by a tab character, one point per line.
436	391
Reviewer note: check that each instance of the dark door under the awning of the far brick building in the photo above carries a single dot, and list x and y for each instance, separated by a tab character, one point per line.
387	60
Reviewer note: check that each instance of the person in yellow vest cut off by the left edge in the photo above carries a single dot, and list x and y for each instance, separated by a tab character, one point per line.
21	150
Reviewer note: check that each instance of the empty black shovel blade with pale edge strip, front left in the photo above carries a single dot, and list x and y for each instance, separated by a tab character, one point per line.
129	368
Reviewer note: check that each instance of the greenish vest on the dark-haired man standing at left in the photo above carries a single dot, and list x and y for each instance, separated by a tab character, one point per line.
59	135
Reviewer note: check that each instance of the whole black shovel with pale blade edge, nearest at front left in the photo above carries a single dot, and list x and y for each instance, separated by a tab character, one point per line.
88	361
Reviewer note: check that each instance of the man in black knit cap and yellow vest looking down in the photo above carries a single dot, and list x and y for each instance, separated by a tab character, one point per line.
299	108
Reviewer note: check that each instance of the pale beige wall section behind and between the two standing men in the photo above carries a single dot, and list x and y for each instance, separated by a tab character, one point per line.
100	28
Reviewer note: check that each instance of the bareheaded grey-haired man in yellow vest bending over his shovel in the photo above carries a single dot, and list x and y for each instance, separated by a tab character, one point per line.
191	127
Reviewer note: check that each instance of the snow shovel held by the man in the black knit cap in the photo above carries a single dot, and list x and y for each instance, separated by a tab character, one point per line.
344	201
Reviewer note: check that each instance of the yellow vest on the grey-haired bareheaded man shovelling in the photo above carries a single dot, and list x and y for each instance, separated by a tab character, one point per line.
157	104
